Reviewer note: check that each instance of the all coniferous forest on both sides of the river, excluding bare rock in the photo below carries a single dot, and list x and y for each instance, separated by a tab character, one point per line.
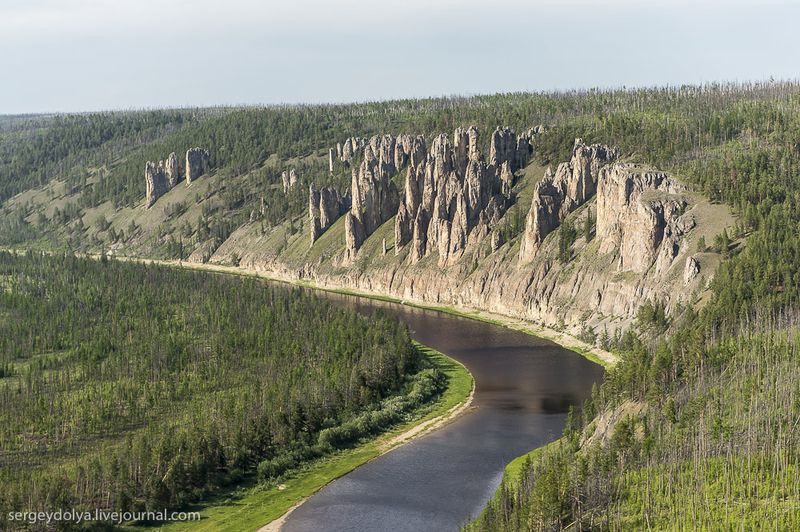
130	375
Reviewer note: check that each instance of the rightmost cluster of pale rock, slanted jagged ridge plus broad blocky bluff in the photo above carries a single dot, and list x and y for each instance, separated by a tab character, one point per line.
640	212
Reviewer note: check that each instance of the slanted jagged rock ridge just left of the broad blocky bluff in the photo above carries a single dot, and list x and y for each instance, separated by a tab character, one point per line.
560	193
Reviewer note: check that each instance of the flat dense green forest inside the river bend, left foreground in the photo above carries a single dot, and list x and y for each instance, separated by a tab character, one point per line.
127	386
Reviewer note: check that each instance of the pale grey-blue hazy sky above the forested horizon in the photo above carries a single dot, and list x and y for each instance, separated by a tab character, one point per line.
89	55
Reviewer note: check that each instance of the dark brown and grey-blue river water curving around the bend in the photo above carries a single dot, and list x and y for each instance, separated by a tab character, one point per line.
525	386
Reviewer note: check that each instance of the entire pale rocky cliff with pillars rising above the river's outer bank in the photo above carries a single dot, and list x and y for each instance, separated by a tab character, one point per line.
449	215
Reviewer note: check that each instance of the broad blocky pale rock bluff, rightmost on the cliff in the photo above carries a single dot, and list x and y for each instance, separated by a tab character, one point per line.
640	217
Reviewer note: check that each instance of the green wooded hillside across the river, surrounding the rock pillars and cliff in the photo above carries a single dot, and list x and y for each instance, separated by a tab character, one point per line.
694	428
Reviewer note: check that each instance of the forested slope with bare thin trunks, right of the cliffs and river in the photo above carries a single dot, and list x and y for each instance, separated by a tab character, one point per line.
704	399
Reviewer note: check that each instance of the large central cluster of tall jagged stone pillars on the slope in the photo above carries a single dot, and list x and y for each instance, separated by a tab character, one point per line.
450	198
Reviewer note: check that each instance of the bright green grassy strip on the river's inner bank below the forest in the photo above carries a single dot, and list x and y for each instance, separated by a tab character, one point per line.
251	505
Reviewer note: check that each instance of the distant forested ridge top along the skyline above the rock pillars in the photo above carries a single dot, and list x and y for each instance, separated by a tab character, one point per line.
663	123
